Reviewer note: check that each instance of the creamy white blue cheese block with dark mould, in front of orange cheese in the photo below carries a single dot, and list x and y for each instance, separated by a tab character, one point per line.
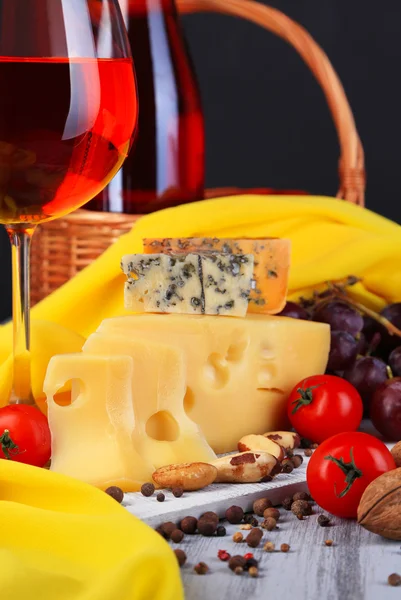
213	284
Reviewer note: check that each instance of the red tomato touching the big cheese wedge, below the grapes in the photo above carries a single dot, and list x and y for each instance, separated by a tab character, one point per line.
324	405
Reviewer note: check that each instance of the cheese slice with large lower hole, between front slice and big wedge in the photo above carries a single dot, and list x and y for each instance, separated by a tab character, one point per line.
163	433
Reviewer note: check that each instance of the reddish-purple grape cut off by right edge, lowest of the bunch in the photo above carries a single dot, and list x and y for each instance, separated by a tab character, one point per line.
385	409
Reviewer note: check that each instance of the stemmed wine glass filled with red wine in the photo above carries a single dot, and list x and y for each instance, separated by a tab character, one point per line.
68	109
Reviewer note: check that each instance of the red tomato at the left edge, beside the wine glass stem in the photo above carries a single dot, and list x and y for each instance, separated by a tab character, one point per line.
24	435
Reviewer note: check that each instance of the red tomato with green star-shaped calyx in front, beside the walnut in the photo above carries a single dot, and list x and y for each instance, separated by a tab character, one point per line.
342	467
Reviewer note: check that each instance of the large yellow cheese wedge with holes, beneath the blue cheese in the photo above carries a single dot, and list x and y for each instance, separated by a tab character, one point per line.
239	372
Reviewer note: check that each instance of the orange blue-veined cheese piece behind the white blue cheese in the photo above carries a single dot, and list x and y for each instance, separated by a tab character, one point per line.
271	269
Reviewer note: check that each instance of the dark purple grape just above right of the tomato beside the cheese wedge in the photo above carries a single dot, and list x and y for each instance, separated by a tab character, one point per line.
366	375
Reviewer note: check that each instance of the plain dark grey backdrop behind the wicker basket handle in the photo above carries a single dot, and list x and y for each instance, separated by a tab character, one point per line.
267	123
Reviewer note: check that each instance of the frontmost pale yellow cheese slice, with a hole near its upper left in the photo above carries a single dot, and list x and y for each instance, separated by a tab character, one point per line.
91	437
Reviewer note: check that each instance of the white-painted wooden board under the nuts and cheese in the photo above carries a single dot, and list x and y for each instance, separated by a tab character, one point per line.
217	497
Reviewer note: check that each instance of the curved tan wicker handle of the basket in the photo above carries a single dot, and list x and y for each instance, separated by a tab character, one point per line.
352	161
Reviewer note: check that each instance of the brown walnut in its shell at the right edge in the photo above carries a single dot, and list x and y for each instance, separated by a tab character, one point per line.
379	508
